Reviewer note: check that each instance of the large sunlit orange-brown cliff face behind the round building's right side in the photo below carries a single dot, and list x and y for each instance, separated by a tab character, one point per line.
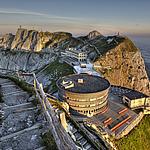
124	66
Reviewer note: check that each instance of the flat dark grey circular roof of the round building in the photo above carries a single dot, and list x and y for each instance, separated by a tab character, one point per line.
91	84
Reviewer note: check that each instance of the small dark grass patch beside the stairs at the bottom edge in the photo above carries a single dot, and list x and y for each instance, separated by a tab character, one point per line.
48	141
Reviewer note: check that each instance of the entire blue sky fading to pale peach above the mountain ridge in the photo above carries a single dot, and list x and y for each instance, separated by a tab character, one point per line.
76	16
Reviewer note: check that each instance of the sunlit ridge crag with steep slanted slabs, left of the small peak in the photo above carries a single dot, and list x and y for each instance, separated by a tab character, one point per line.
36	41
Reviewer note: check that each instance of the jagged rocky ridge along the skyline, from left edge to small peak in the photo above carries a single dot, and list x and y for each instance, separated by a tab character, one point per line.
33	40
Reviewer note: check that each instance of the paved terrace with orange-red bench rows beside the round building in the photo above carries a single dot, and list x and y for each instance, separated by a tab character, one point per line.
114	120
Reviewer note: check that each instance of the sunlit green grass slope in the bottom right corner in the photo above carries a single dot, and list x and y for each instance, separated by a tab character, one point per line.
138	139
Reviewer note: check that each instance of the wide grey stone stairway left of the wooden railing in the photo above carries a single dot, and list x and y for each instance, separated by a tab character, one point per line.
22	124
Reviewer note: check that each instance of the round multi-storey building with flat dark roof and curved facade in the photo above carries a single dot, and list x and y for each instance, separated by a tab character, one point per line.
85	94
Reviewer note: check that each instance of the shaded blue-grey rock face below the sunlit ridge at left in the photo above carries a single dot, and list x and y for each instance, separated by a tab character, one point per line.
26	61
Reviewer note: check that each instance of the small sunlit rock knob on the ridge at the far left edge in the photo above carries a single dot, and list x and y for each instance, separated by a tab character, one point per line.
6	41
